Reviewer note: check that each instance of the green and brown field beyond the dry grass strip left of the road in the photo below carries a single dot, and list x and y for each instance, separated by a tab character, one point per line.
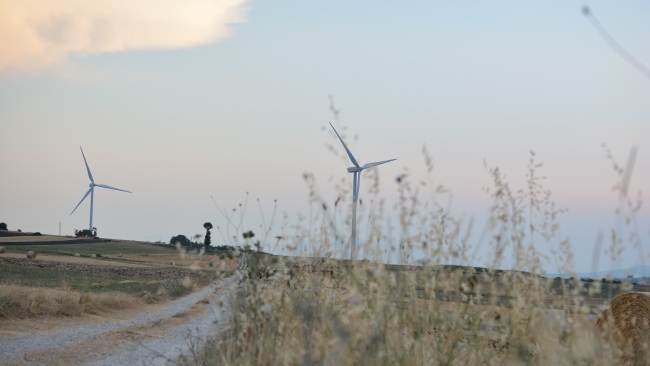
145	273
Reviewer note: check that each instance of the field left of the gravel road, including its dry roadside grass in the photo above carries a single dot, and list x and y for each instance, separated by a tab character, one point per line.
58	283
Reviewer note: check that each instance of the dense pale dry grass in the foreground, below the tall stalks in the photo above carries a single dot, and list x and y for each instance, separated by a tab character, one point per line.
364	316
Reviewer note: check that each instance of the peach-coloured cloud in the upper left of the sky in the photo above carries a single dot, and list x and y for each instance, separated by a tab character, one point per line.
37	33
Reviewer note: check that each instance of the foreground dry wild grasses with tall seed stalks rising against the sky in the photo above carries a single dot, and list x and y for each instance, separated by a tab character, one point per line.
333	312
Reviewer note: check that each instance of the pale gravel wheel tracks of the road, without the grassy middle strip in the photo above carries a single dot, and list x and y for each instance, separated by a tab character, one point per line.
151	350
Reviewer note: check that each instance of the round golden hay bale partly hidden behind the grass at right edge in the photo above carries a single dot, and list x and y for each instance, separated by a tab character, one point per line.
624	326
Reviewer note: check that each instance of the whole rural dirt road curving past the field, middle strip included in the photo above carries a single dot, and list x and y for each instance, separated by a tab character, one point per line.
154	338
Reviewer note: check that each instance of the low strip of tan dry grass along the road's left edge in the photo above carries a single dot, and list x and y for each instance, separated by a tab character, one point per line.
25	302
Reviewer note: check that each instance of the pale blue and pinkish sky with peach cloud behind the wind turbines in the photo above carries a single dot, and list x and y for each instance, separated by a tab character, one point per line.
180	101
